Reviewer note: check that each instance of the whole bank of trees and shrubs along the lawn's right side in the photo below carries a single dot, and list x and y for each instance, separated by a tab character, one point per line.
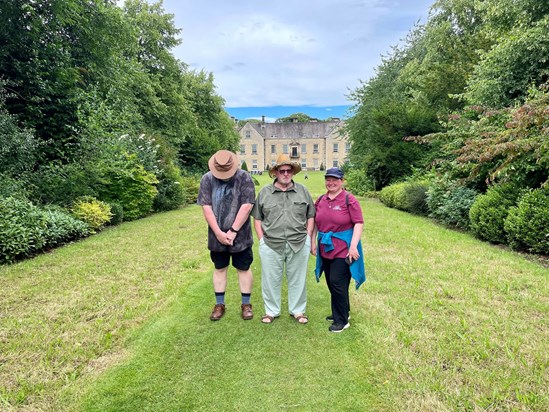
465	99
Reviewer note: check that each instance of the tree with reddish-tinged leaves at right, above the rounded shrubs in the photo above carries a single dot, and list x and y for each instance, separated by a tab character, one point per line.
482	146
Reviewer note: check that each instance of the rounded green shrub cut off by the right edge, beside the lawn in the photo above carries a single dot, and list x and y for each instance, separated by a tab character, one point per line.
527	224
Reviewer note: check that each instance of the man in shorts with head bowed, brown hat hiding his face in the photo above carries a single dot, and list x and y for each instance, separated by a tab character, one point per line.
227	195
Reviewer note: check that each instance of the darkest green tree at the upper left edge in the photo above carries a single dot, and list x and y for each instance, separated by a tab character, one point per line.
35	56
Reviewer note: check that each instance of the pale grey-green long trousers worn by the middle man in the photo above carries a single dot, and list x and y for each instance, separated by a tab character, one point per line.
272	272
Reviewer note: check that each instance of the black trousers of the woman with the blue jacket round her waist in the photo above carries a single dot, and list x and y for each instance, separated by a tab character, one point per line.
338	278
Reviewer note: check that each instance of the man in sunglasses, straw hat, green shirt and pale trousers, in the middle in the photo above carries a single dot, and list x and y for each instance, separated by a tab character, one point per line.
284	220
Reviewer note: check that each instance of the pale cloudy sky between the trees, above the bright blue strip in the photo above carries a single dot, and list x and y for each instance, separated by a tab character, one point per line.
290	52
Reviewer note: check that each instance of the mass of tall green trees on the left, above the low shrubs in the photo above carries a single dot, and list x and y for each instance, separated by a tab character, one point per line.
70	98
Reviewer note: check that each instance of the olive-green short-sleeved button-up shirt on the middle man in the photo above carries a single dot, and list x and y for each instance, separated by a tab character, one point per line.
284	215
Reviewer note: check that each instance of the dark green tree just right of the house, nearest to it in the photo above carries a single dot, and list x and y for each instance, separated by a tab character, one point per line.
386	111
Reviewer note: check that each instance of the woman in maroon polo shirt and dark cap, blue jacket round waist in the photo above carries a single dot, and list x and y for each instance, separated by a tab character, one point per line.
339	221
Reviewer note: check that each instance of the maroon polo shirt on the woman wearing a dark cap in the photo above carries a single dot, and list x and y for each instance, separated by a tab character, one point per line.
335	215
